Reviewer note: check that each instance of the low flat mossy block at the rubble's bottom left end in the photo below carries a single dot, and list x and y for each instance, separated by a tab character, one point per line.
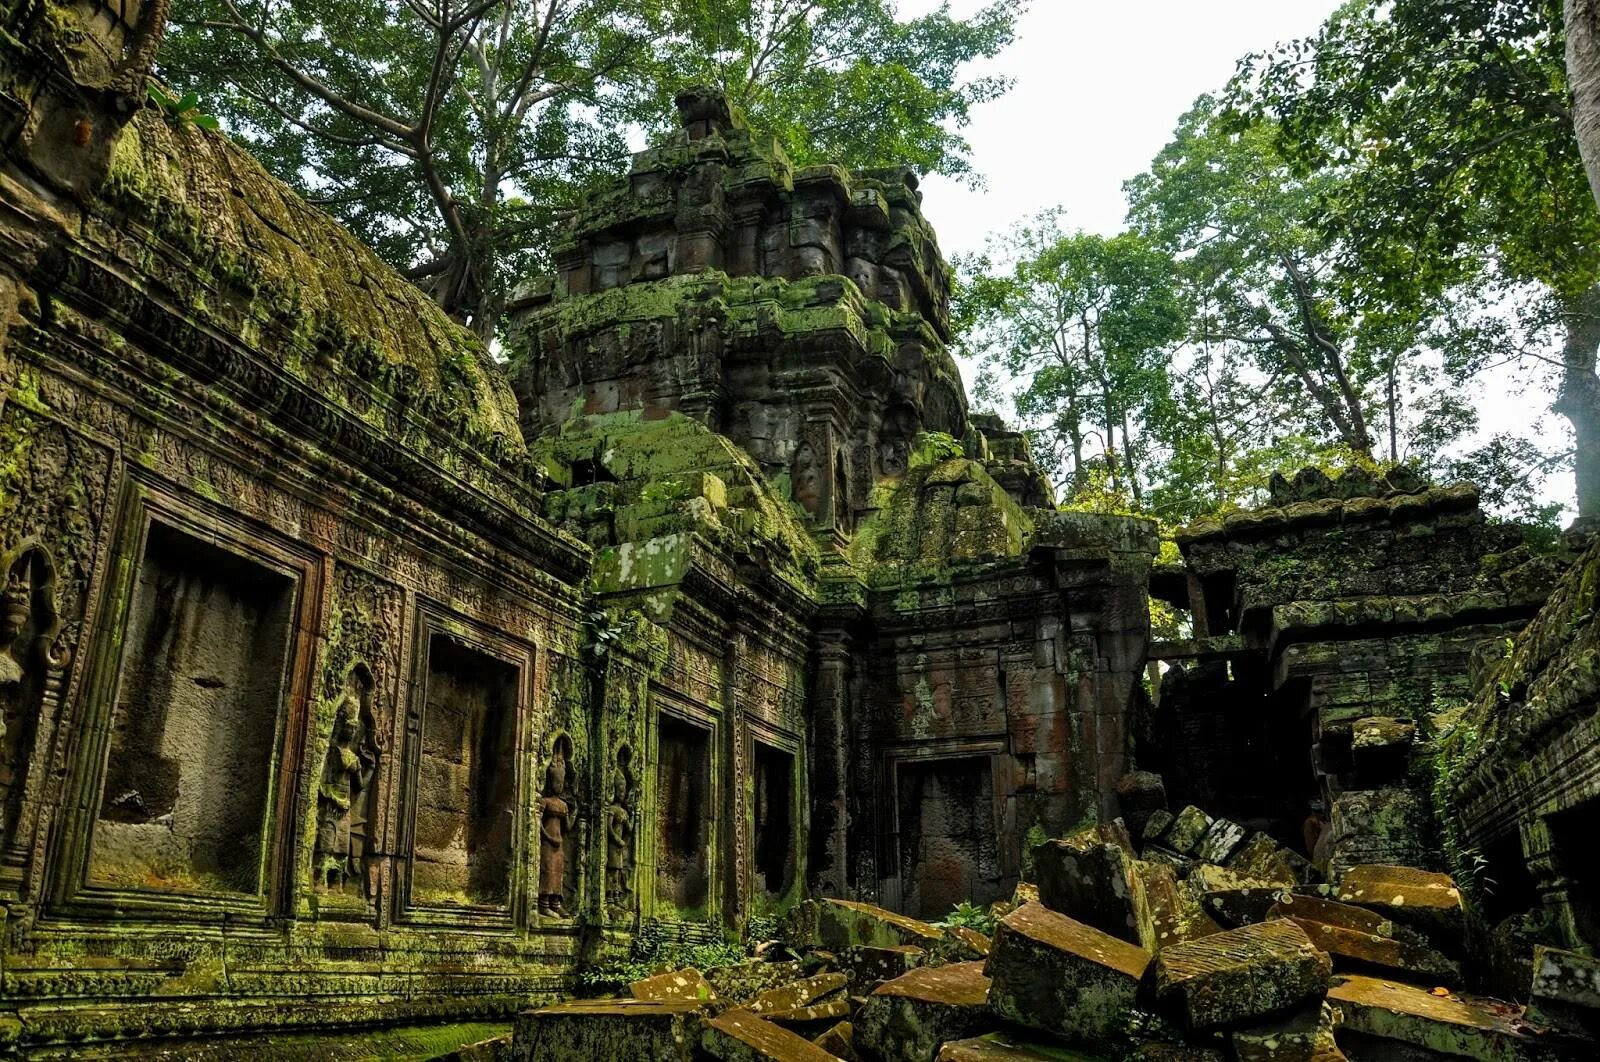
607	1029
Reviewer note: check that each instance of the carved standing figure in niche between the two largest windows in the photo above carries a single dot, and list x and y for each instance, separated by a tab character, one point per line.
346	789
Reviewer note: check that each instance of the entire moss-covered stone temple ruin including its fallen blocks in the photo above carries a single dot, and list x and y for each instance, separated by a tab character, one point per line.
359	689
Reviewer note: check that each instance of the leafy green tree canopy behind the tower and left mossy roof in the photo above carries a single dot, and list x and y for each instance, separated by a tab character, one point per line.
452	135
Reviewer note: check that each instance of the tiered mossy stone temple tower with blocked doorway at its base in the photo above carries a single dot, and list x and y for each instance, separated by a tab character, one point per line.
740	351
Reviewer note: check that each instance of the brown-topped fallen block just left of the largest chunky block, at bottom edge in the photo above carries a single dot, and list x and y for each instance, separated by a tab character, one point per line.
906	1020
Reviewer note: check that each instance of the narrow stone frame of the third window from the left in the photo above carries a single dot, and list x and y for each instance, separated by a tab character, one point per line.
646	874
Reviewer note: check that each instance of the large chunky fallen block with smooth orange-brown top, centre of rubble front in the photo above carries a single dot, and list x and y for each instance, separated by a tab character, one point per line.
1063	976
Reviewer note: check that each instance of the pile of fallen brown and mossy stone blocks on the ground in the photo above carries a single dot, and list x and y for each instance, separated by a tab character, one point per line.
1204	944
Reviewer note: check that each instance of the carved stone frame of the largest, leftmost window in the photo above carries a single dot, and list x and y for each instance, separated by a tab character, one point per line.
145	501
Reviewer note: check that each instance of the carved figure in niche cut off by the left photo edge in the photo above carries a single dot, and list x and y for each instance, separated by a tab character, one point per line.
28	626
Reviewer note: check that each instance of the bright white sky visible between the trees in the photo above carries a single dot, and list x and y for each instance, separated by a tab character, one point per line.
1098	90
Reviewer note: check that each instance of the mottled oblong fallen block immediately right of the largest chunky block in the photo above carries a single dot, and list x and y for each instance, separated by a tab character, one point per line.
1242	975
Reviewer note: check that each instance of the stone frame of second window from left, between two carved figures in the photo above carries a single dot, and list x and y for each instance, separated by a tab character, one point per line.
434	618
